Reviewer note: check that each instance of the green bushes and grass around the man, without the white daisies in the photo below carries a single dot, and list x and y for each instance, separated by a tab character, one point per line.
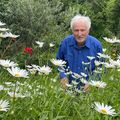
48	21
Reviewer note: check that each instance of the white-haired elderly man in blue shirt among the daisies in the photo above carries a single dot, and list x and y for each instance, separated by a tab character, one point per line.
76	48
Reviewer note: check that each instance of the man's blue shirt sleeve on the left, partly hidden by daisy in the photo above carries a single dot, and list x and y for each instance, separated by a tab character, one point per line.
60	55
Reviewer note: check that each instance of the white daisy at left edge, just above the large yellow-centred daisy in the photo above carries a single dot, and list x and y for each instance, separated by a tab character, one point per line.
7	63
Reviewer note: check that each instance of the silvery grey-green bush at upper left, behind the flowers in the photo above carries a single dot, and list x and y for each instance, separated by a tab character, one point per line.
31	19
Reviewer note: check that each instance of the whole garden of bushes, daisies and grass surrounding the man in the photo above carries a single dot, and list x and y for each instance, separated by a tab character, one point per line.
30	35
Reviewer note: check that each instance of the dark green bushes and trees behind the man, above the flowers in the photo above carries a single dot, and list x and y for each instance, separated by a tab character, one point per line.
49	20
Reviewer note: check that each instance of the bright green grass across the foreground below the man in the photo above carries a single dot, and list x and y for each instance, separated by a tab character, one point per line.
46	100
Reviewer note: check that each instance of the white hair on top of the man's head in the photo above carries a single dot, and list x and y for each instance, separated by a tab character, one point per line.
78	18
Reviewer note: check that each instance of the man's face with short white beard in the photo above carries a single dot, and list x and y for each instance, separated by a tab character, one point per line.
80	31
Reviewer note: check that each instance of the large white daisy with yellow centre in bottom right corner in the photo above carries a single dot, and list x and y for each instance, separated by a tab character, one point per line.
104	109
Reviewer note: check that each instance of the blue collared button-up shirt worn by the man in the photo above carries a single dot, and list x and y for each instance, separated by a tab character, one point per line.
74	55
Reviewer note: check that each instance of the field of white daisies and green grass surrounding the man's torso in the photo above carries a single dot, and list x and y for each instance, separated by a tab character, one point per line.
30	88
